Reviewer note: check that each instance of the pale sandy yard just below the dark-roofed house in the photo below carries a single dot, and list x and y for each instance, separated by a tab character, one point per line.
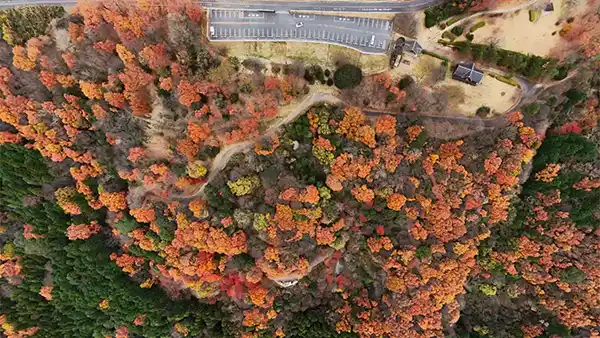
464	99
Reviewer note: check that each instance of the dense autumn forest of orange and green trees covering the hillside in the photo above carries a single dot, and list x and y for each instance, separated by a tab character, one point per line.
152	187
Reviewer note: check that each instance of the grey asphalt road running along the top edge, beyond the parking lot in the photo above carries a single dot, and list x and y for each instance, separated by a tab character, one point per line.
280	6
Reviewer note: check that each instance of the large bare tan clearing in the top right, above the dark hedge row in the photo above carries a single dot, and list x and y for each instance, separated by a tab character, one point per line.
515	32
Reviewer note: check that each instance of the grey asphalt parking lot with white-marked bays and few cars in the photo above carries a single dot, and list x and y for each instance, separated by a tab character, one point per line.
370	36
